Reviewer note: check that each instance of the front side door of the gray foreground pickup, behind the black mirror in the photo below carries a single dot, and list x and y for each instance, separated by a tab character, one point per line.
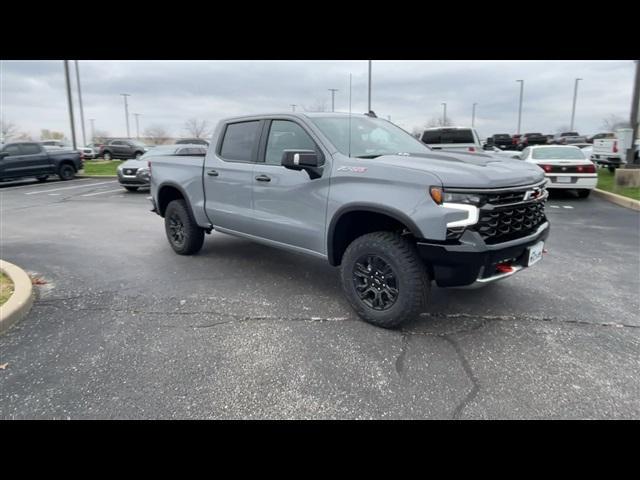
289	207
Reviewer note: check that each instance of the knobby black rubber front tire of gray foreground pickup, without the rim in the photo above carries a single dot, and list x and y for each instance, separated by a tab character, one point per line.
413	281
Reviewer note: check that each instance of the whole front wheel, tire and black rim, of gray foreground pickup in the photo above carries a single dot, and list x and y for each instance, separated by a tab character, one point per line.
384	279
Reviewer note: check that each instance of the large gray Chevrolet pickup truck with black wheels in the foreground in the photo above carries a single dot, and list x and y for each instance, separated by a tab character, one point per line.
364	195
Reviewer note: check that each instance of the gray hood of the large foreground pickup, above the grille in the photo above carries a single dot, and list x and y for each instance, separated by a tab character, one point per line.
468	170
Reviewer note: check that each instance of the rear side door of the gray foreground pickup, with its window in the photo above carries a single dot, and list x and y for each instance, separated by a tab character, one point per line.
228	176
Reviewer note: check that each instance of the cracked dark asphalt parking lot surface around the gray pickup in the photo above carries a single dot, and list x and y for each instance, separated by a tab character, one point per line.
124	328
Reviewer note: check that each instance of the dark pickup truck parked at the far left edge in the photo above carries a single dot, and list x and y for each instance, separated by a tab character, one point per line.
31	159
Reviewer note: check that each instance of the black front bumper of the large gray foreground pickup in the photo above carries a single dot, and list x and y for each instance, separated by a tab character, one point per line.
474	263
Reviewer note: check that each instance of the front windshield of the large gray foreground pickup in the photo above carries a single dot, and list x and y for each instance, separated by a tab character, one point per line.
368	137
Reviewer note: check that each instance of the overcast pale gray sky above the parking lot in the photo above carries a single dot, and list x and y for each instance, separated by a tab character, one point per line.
167	93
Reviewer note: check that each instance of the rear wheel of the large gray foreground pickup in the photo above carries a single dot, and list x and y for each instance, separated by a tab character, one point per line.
183	233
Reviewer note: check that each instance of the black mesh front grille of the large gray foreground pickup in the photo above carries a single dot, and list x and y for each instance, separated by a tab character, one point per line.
502	224
